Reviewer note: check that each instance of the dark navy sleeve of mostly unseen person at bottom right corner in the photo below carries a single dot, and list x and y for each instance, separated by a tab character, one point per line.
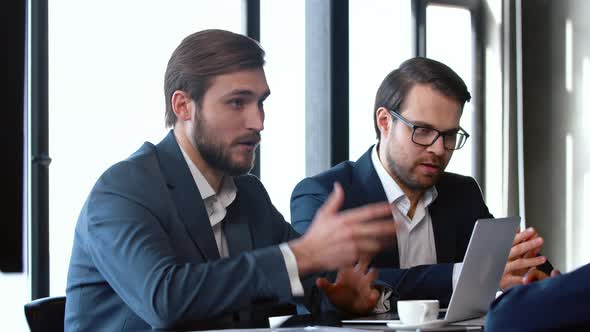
560	303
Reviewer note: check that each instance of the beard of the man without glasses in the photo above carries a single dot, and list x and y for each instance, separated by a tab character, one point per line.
217	154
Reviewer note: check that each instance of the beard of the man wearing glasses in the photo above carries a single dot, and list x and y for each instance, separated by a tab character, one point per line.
407	176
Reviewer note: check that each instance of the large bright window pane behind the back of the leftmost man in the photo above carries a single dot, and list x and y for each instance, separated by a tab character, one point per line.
106	71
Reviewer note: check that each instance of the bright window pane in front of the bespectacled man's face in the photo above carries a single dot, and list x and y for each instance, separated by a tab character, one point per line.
449	40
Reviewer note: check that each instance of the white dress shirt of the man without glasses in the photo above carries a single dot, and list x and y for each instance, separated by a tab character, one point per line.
216	205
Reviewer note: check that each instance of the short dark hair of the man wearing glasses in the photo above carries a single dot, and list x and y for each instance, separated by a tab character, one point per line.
419	70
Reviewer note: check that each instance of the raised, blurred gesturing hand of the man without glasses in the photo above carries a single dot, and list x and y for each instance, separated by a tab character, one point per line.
338	239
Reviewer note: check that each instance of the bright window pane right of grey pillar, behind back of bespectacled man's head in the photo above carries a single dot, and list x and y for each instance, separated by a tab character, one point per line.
380	39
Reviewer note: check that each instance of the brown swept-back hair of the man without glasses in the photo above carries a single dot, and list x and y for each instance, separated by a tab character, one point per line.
204	55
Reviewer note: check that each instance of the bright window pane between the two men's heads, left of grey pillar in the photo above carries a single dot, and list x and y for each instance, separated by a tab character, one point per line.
282	163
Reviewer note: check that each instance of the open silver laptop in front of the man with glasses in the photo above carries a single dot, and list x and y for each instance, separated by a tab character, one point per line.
479	278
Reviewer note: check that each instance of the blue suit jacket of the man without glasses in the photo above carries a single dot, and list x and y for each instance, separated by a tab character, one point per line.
144	254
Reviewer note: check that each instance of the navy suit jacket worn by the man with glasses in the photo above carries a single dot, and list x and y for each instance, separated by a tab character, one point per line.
454	212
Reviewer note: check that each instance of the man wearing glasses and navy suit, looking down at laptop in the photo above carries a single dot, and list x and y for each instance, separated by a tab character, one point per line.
416	115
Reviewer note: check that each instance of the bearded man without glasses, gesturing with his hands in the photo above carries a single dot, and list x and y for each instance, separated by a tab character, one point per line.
180	236
